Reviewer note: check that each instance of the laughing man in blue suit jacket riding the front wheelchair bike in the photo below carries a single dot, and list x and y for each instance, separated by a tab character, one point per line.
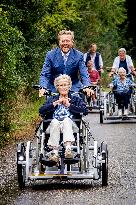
64	60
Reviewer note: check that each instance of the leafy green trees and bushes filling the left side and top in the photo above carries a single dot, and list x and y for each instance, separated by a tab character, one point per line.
28	29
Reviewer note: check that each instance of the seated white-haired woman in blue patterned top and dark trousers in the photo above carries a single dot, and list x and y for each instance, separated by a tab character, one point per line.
122	87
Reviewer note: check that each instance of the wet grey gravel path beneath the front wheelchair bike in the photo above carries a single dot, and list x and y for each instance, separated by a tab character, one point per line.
121	189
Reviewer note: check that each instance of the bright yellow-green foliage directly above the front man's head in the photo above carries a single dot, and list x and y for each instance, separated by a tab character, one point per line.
58	15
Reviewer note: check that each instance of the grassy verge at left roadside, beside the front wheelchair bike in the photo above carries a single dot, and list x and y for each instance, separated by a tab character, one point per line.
24	118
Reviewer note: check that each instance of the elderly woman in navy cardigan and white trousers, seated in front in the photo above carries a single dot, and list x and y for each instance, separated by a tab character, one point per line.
62	109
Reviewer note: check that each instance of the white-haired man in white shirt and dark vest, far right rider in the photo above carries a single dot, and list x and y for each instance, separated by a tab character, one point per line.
123	60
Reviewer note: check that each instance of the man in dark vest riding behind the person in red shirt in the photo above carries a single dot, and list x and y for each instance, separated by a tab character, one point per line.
92	54
